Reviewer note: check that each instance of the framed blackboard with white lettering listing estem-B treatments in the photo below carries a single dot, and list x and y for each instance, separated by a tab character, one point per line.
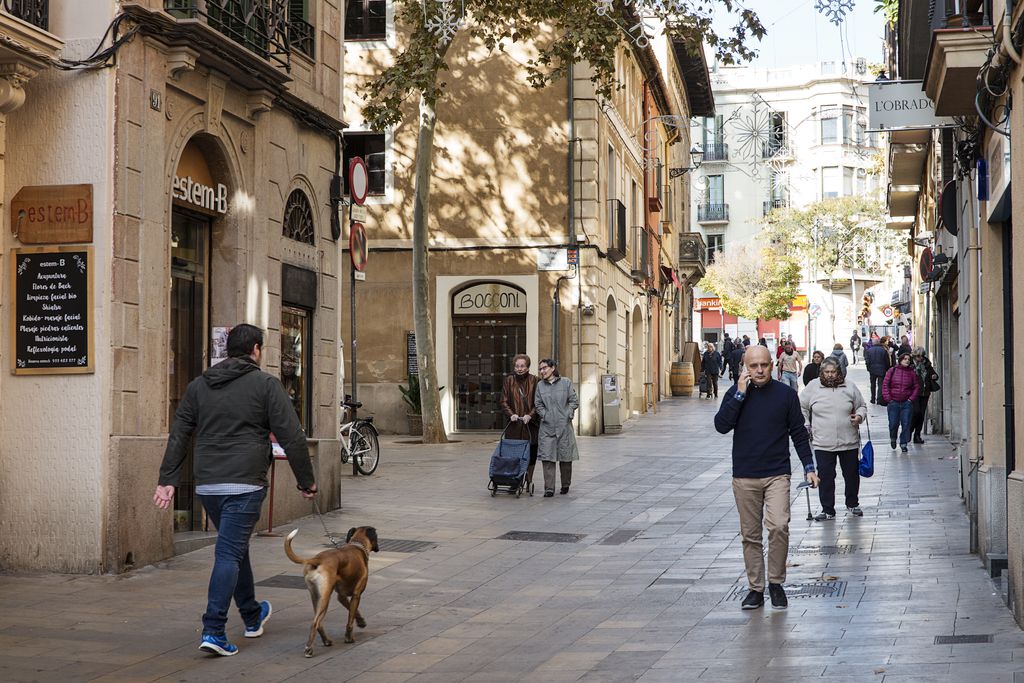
53	289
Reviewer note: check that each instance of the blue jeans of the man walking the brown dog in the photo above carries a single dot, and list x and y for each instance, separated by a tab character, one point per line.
235	518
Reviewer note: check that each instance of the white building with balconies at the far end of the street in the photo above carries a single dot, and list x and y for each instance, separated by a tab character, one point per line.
783	138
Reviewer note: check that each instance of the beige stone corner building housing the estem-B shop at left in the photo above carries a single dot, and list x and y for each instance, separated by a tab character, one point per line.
210	144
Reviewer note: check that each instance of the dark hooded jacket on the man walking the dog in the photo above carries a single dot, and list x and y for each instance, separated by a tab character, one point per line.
232	409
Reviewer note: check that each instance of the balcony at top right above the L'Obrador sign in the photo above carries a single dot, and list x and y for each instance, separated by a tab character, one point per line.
962	36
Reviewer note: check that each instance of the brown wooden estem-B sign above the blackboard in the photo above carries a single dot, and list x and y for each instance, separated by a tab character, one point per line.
53	215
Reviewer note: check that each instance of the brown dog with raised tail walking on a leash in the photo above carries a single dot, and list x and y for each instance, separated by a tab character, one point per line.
344	571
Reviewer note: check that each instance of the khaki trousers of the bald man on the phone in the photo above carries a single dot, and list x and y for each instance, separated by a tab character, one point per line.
764	503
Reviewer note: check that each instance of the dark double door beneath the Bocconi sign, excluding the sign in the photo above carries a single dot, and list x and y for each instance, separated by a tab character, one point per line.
484	351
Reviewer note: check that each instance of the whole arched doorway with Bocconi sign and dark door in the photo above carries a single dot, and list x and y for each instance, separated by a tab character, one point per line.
489	328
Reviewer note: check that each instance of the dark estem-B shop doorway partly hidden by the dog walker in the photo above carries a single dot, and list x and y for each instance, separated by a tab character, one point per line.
190	249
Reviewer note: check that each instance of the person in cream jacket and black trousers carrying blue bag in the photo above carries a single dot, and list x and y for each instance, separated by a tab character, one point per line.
834	411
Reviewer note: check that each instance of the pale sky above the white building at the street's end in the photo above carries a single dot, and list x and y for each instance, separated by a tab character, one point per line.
799	34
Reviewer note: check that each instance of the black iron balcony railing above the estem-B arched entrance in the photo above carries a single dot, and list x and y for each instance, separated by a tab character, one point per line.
264	27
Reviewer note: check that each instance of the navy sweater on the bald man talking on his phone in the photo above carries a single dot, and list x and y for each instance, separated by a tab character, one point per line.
763	422
